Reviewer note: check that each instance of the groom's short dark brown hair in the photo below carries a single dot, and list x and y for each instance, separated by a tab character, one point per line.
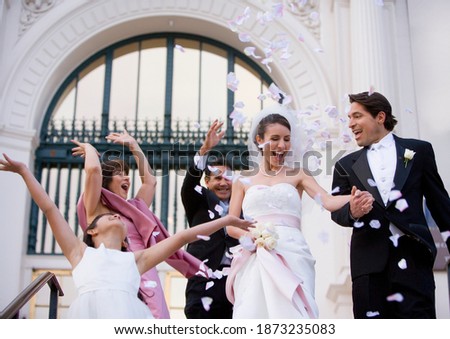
374	104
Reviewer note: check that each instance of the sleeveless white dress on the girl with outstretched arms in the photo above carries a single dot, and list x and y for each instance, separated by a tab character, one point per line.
107	282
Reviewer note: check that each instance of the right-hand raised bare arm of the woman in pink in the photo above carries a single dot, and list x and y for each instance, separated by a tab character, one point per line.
147	190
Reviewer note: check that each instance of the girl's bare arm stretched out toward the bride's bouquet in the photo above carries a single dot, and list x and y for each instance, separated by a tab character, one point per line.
156	254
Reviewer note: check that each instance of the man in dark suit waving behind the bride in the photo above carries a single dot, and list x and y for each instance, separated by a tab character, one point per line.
203	204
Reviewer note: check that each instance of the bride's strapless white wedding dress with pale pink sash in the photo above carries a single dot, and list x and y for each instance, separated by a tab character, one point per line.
278	283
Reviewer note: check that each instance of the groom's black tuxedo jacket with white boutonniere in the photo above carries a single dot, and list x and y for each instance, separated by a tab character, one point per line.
416	180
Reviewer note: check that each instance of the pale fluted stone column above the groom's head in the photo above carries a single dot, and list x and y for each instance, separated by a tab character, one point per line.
368	46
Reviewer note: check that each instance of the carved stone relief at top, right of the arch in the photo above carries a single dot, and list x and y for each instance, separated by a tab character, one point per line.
308	12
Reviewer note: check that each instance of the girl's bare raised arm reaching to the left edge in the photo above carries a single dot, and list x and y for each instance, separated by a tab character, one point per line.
72	247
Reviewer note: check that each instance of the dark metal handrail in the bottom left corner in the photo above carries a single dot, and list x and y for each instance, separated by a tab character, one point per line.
12	310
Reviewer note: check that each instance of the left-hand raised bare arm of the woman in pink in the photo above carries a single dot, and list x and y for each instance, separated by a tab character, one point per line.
93	180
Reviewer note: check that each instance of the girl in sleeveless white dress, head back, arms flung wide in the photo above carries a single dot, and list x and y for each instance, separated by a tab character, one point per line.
108	279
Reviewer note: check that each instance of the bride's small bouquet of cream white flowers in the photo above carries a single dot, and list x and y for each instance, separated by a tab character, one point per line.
263	235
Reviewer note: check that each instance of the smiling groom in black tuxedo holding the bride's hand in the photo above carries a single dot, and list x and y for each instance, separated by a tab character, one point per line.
392	250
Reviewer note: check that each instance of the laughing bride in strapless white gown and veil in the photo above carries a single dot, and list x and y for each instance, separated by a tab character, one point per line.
272	272
